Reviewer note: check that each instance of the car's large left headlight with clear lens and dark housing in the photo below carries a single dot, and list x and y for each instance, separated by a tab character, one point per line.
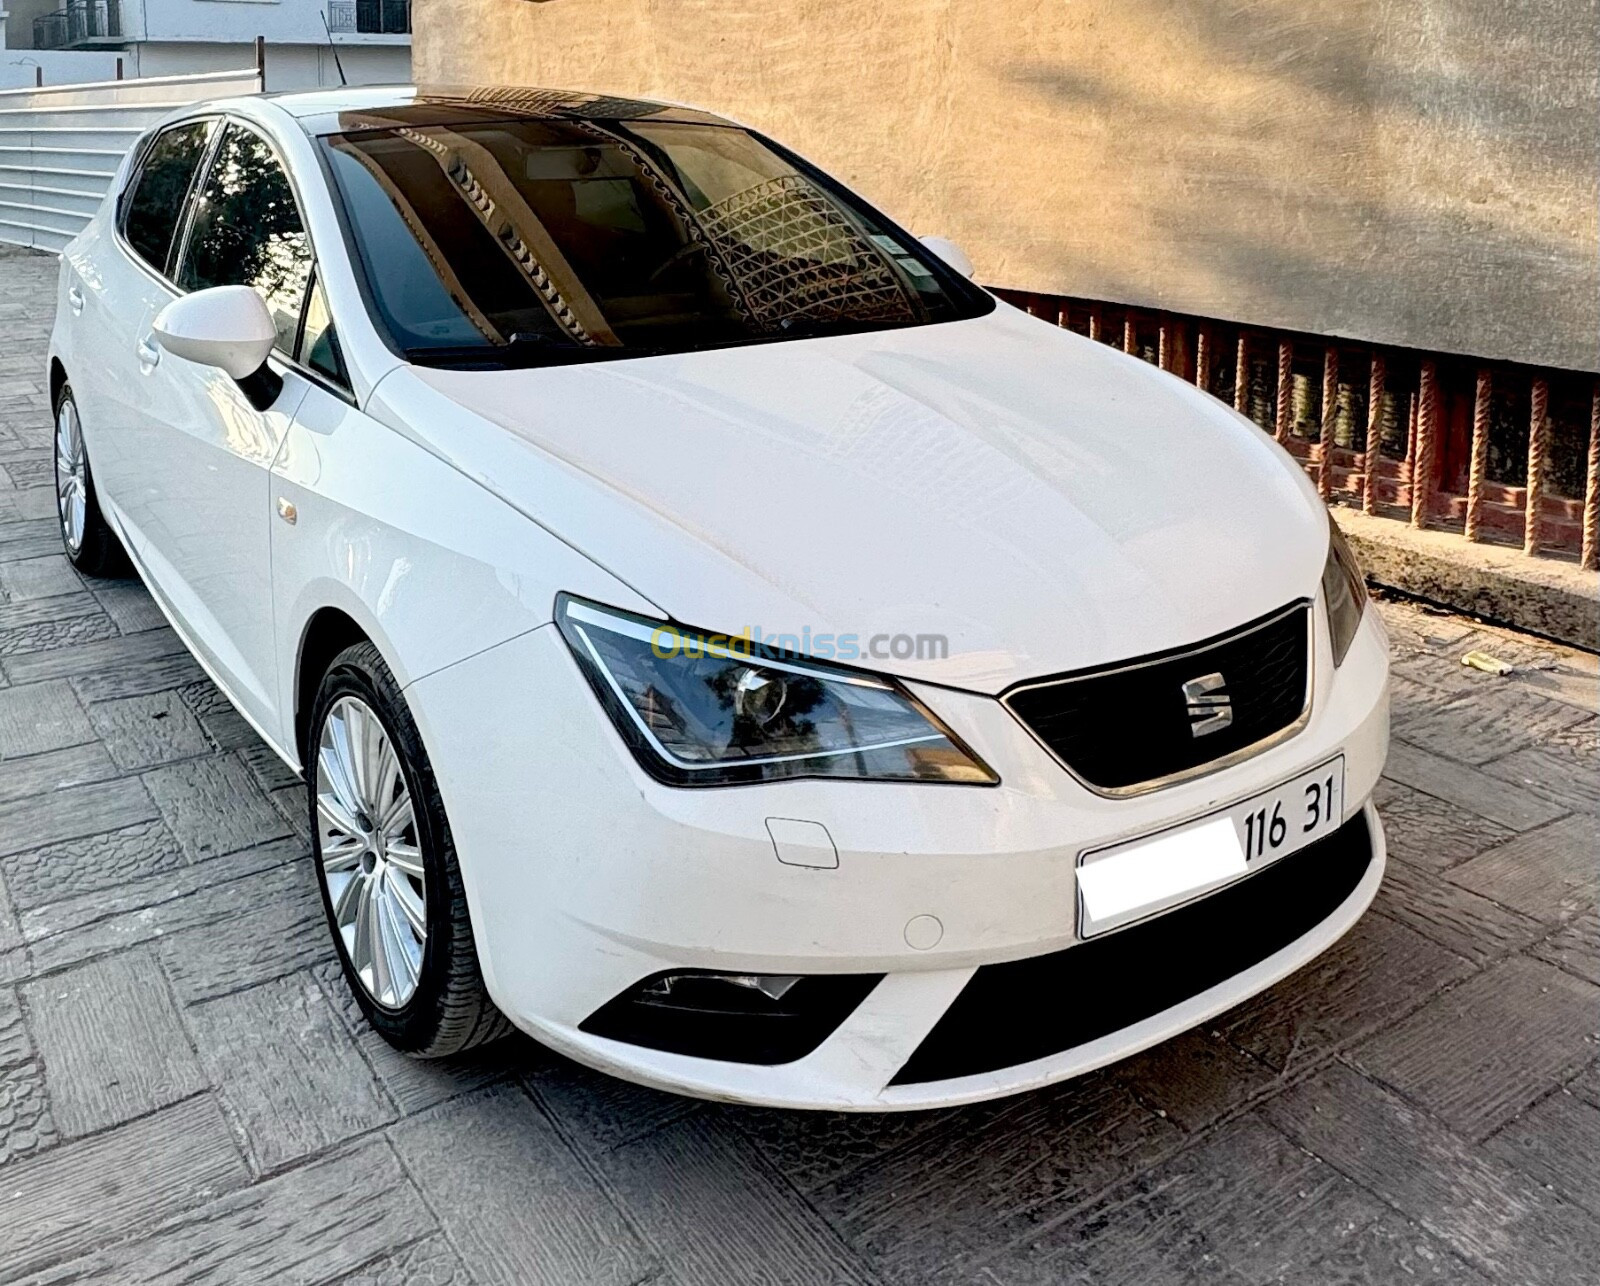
716	711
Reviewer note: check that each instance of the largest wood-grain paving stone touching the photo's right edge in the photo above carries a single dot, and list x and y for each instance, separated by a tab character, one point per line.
1489	1048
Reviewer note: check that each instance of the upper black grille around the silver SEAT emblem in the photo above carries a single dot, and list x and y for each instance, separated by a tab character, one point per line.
1132	727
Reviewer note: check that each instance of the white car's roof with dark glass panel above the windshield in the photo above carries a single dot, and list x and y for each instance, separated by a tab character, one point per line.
390	106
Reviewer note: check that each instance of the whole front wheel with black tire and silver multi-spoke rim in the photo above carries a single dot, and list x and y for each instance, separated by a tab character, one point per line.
420	989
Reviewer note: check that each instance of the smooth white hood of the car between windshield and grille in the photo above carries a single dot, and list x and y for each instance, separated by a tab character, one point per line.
1039	501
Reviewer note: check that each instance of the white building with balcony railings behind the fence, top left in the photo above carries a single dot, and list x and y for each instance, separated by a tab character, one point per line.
308	42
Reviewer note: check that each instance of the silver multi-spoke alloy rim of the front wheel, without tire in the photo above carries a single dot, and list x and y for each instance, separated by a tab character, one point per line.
370	852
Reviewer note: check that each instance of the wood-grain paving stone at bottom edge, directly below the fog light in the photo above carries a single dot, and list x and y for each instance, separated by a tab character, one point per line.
718	1215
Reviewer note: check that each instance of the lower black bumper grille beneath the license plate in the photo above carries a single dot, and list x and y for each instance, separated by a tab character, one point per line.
1030	1010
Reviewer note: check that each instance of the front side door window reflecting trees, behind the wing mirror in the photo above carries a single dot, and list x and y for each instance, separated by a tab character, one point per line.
249	233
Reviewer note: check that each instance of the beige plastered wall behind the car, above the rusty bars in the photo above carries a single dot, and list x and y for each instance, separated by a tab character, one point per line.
1410	172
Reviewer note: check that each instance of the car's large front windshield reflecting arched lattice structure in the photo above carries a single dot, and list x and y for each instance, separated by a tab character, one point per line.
542	242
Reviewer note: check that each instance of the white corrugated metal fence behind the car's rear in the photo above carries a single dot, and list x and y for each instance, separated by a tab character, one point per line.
60	146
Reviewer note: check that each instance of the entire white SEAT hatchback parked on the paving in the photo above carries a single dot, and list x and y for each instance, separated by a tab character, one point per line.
719	639
